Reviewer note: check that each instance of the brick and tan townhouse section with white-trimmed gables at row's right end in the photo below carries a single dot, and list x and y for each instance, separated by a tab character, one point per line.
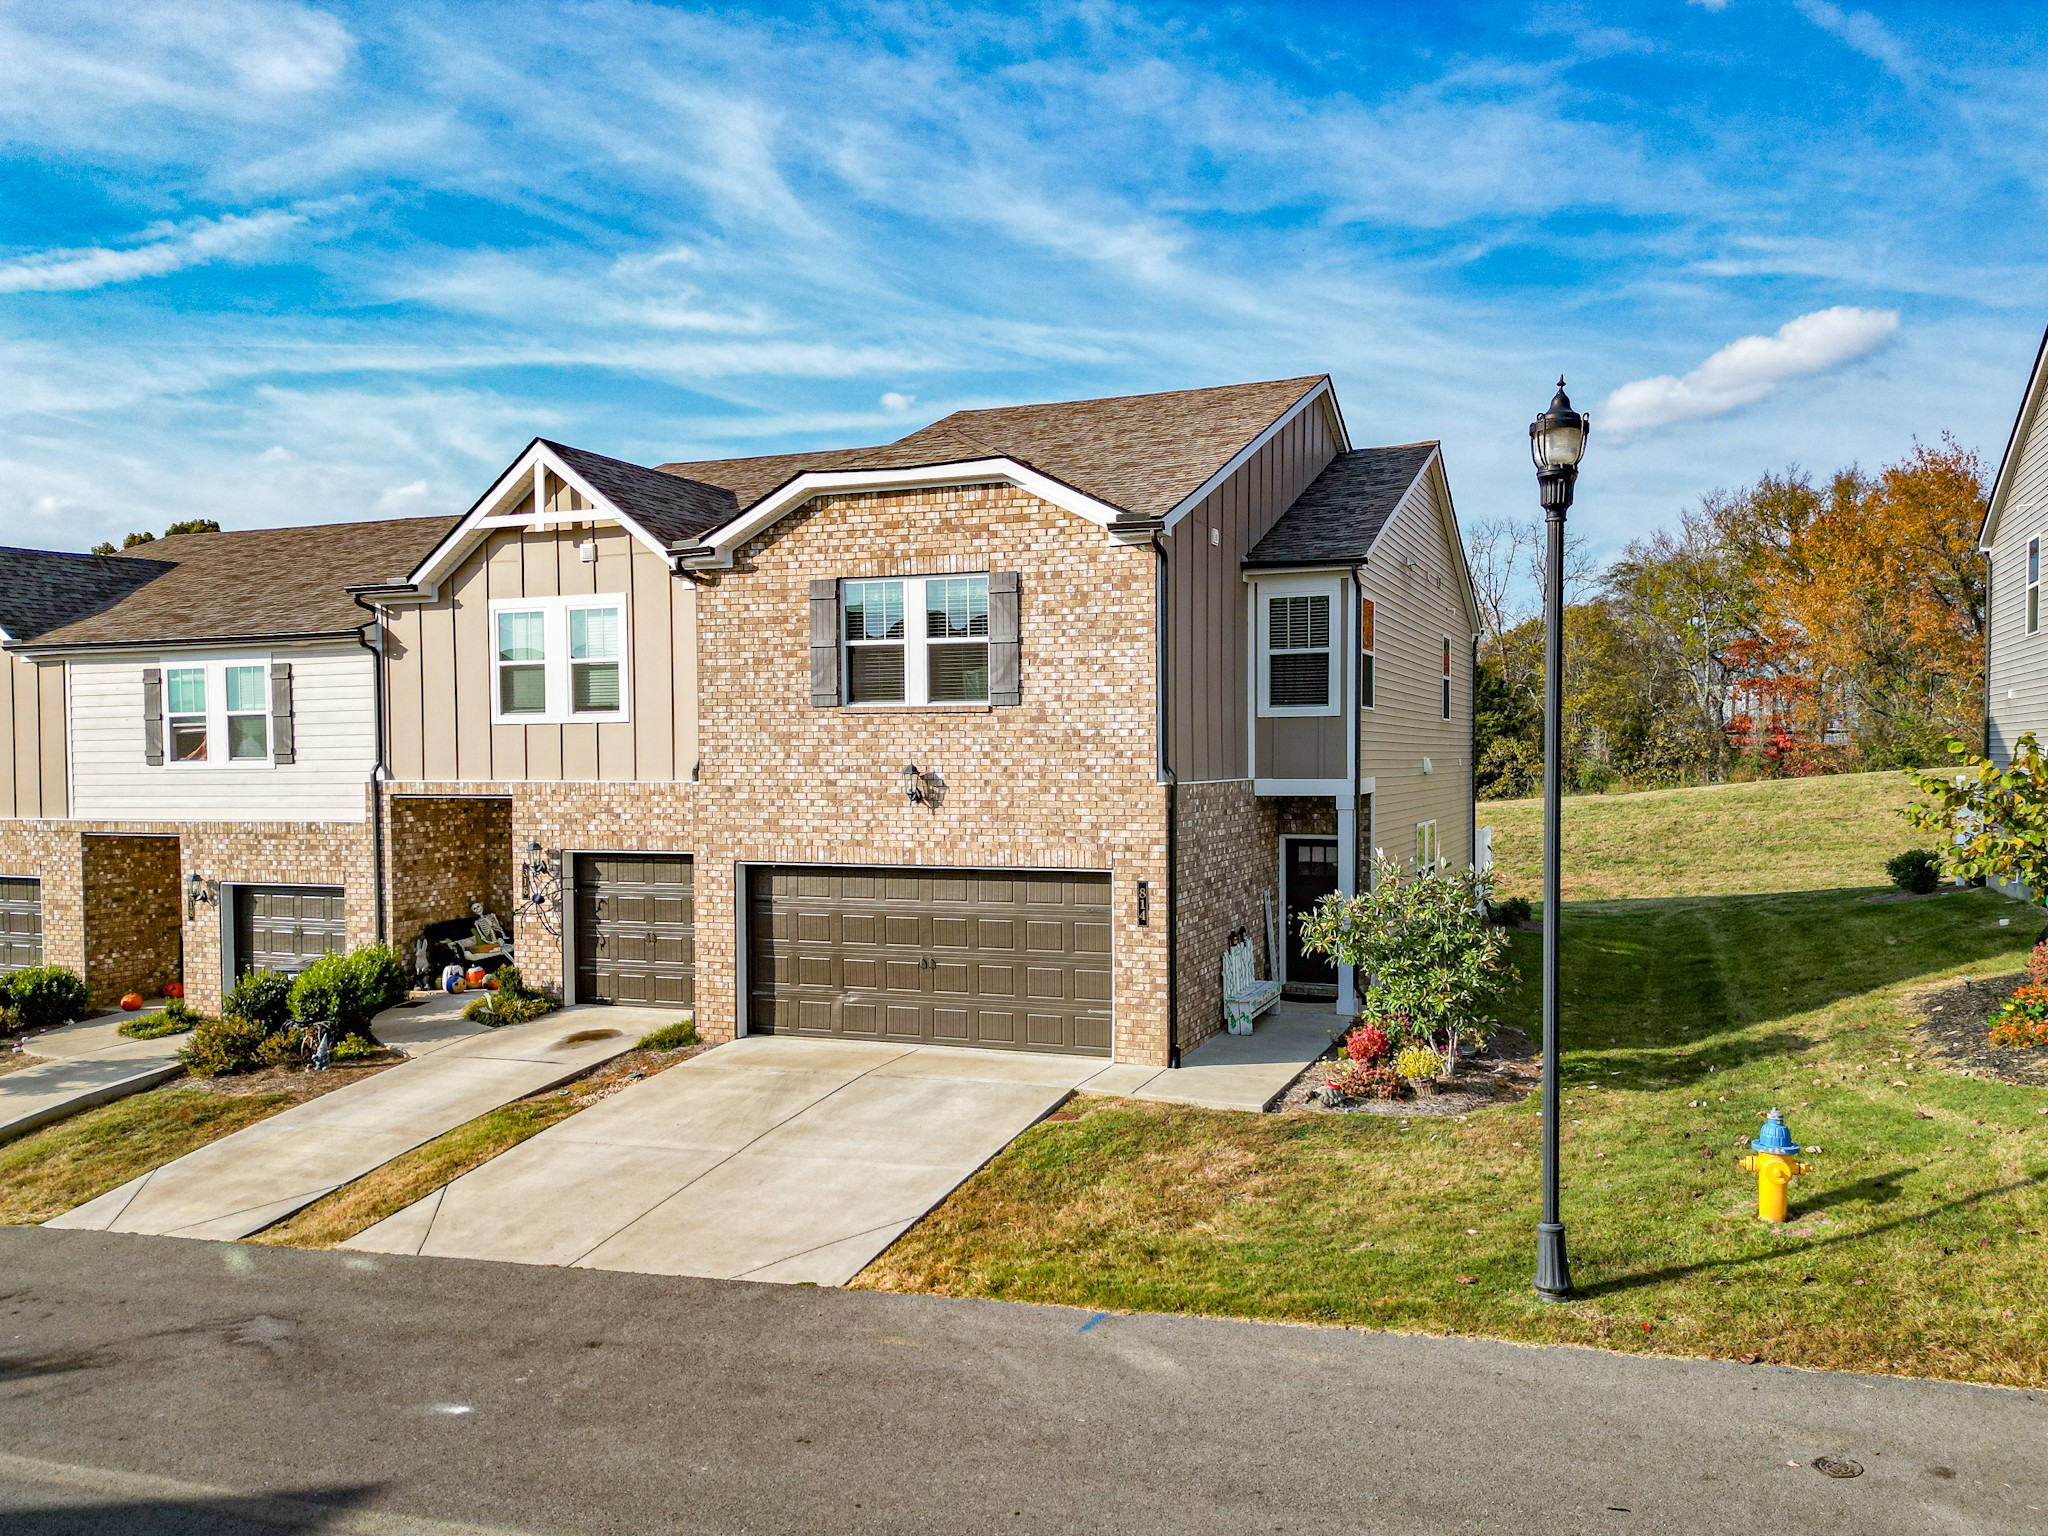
988	736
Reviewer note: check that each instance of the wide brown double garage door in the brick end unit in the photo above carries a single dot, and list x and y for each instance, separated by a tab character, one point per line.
970	957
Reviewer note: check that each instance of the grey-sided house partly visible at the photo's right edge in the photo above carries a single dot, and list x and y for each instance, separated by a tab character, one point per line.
2016	527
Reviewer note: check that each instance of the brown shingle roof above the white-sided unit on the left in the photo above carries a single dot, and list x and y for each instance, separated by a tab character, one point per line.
253	585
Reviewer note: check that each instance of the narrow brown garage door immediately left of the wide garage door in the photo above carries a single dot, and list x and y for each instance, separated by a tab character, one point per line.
636	931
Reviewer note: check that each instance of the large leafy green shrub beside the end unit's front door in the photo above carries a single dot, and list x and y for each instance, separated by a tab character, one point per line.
1431	957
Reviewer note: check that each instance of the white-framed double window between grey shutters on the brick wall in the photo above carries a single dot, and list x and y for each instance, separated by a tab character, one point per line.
916	640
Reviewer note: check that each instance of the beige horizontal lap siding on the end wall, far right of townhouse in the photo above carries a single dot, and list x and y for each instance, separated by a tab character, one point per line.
1414	611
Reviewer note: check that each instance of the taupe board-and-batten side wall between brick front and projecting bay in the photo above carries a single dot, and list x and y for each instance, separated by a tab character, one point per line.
1209	648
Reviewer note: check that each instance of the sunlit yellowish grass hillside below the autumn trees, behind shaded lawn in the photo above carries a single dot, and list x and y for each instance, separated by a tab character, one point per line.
1785	835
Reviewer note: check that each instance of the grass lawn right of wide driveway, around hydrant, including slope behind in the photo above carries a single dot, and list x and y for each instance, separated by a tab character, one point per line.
1916	1246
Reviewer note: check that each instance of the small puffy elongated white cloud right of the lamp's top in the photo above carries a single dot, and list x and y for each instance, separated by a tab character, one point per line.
1750	370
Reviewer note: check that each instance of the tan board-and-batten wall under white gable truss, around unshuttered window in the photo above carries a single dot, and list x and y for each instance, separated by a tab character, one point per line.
439	667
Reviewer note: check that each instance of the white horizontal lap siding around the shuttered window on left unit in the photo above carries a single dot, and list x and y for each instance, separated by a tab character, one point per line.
335	744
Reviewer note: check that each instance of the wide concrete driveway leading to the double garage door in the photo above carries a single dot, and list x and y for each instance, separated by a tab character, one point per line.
763	1160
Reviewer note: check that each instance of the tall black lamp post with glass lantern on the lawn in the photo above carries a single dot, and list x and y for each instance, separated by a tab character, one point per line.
1558	443
